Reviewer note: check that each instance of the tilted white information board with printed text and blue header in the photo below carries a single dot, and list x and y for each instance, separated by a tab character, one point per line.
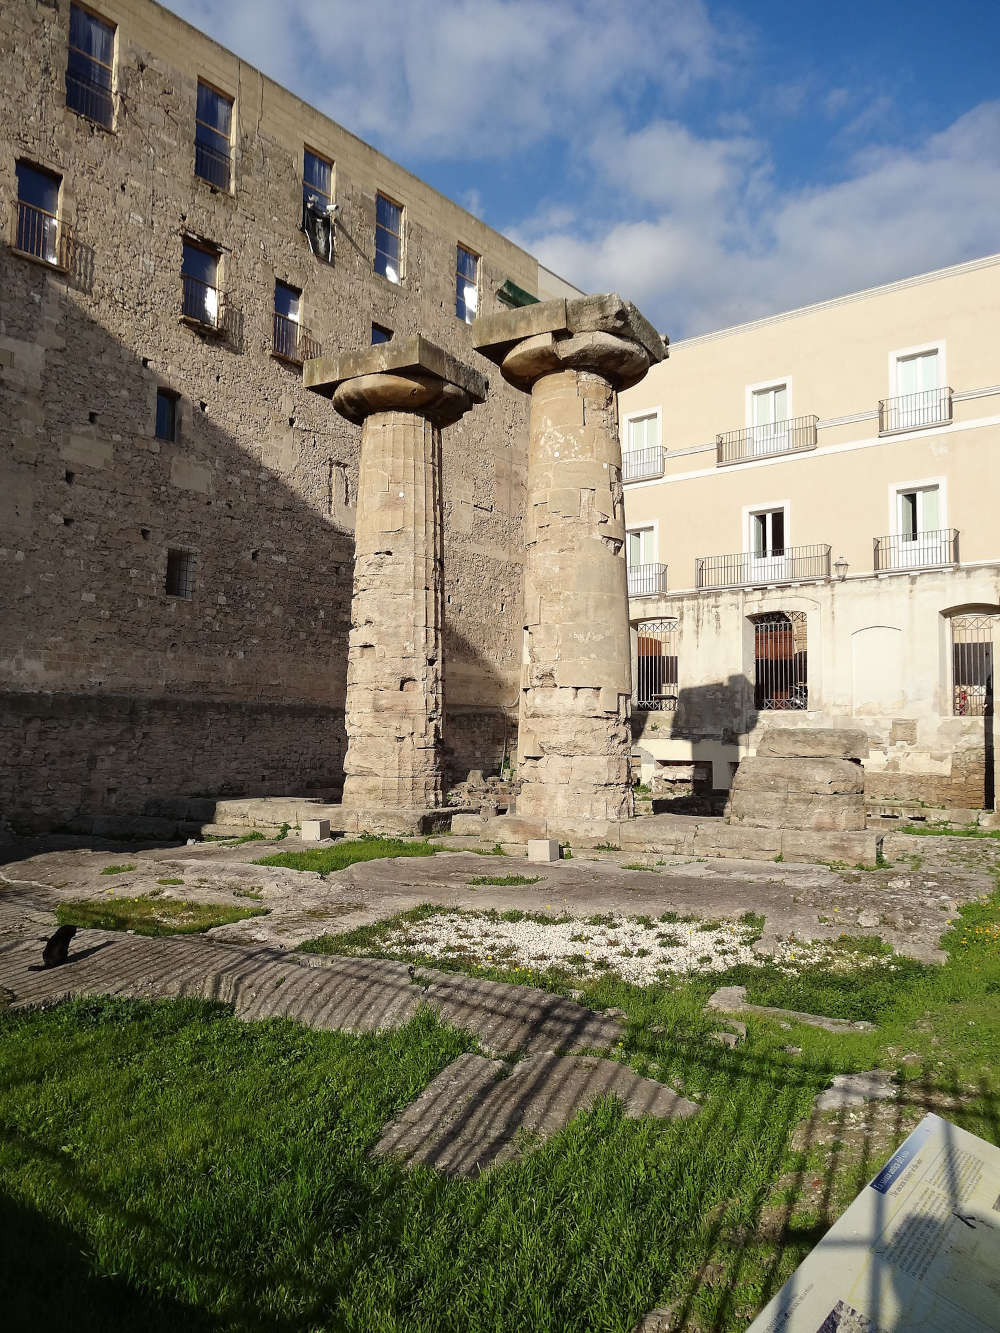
917	1252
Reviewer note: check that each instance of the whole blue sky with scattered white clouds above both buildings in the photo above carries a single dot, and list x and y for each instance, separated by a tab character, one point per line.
715	163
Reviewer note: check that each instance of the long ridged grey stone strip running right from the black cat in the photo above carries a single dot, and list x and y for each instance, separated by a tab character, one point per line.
334	994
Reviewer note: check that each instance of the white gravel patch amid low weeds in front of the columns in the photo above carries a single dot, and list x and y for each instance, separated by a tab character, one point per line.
635	951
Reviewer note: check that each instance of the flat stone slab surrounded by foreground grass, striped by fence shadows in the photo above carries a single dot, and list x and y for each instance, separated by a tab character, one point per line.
471	1118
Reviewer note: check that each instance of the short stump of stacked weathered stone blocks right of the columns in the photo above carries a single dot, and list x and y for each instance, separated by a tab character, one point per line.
809	779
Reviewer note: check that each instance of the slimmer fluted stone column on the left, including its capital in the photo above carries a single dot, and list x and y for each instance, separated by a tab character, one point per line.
402	394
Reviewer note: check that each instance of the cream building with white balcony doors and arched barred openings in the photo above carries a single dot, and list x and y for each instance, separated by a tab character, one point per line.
811	513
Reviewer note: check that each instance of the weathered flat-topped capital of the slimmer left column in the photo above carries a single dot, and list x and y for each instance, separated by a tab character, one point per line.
409	377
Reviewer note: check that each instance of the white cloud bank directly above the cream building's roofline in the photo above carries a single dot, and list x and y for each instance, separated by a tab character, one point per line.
753	249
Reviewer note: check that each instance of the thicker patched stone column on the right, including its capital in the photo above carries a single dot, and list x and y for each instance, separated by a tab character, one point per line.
575	735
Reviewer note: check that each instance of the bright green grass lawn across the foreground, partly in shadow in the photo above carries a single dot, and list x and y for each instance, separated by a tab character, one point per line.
163	1166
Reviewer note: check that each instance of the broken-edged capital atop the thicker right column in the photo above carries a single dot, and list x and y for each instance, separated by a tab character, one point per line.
602	334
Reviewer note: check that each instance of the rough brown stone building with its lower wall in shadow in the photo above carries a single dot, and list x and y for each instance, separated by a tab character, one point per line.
179	234
